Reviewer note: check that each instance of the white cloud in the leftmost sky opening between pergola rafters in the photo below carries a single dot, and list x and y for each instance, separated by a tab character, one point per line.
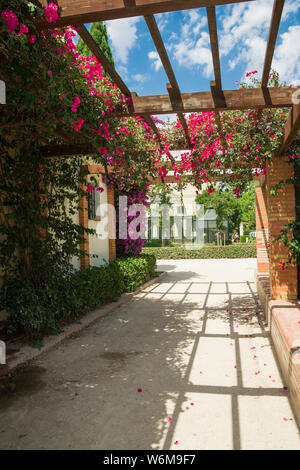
123	35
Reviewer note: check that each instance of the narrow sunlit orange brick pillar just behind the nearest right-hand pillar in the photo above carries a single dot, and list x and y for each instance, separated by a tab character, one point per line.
262	230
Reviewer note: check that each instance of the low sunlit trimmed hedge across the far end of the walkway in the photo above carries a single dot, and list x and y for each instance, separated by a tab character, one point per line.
229	251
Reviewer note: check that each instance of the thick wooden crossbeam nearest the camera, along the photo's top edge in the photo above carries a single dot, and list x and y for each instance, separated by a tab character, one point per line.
74	12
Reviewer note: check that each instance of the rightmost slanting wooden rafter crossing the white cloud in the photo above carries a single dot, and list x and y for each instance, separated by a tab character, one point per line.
274	27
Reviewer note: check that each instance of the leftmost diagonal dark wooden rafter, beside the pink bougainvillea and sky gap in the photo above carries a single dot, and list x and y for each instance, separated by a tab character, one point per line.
107	66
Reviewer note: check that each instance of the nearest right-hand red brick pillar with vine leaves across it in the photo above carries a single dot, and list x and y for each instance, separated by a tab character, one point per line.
281	212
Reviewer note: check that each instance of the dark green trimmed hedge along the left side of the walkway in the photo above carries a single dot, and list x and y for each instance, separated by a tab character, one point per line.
44	310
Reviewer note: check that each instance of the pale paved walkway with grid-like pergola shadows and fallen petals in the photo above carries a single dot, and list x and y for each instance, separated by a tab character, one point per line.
197	347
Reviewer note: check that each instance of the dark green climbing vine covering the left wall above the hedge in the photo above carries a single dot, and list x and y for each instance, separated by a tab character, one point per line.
39	196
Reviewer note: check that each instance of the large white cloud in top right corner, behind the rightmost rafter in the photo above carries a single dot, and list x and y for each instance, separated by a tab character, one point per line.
244	33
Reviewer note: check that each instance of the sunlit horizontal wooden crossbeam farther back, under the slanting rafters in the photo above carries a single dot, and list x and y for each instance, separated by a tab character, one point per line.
251	98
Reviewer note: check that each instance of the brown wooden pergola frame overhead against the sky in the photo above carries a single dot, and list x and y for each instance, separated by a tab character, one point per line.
79	12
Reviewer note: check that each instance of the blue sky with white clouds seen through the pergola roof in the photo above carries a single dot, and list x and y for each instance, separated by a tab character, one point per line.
243	32
